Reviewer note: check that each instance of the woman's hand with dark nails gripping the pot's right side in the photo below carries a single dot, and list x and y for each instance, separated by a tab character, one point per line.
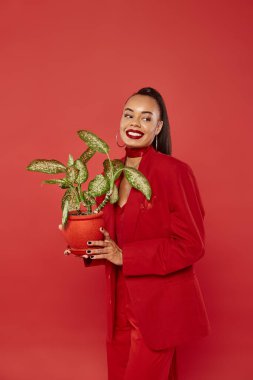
109	251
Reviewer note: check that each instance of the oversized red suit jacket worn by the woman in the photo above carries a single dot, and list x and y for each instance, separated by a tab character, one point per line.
163	241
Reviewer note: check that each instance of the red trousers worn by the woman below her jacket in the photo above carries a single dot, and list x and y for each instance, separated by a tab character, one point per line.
128	357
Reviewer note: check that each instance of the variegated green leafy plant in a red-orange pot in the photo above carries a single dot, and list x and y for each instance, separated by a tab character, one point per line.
81	215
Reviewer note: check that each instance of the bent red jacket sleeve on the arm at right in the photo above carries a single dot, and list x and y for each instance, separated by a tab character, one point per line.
184	244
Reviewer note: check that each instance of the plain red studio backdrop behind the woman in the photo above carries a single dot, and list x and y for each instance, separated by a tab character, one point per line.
69	65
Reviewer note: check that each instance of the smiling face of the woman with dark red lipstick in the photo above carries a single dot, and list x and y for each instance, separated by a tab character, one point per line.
140	121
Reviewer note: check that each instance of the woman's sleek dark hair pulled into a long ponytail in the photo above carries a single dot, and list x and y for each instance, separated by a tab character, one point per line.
163	138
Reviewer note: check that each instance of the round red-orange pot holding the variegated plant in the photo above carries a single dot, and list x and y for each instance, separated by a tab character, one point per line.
81	228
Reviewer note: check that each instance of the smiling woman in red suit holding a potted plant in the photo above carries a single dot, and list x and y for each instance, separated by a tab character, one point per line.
154	302
